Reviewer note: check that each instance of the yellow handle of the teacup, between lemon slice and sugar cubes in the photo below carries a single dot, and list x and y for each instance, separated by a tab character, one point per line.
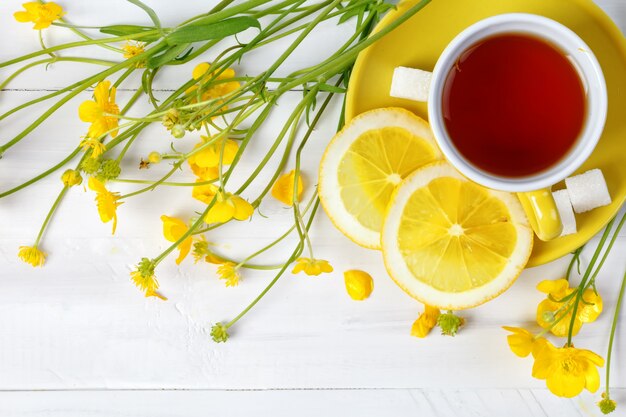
542	213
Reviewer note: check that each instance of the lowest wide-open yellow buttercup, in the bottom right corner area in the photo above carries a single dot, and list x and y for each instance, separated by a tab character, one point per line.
567	370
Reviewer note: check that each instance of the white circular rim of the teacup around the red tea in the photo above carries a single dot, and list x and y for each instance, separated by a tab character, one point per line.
591	75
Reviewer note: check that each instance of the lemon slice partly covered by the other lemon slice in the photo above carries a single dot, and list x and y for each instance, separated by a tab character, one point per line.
365	162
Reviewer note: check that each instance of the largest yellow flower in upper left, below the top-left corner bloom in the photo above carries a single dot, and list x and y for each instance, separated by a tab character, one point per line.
93	111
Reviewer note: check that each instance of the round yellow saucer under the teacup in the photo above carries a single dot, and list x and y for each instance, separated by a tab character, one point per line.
419	42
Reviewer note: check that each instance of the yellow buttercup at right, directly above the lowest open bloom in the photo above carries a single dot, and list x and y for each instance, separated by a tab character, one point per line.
551	309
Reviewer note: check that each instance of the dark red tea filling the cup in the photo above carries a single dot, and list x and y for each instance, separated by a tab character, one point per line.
513	105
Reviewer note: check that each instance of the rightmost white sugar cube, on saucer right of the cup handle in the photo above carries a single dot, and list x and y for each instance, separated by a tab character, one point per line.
588	191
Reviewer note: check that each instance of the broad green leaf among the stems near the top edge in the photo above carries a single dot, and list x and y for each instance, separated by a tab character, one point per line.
217	30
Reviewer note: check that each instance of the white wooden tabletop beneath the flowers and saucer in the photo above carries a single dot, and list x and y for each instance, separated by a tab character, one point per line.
77	339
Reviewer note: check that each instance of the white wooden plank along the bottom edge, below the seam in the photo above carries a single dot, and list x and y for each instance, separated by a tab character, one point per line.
304	403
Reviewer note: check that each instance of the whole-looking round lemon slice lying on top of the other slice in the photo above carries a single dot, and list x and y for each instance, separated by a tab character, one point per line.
451	243
